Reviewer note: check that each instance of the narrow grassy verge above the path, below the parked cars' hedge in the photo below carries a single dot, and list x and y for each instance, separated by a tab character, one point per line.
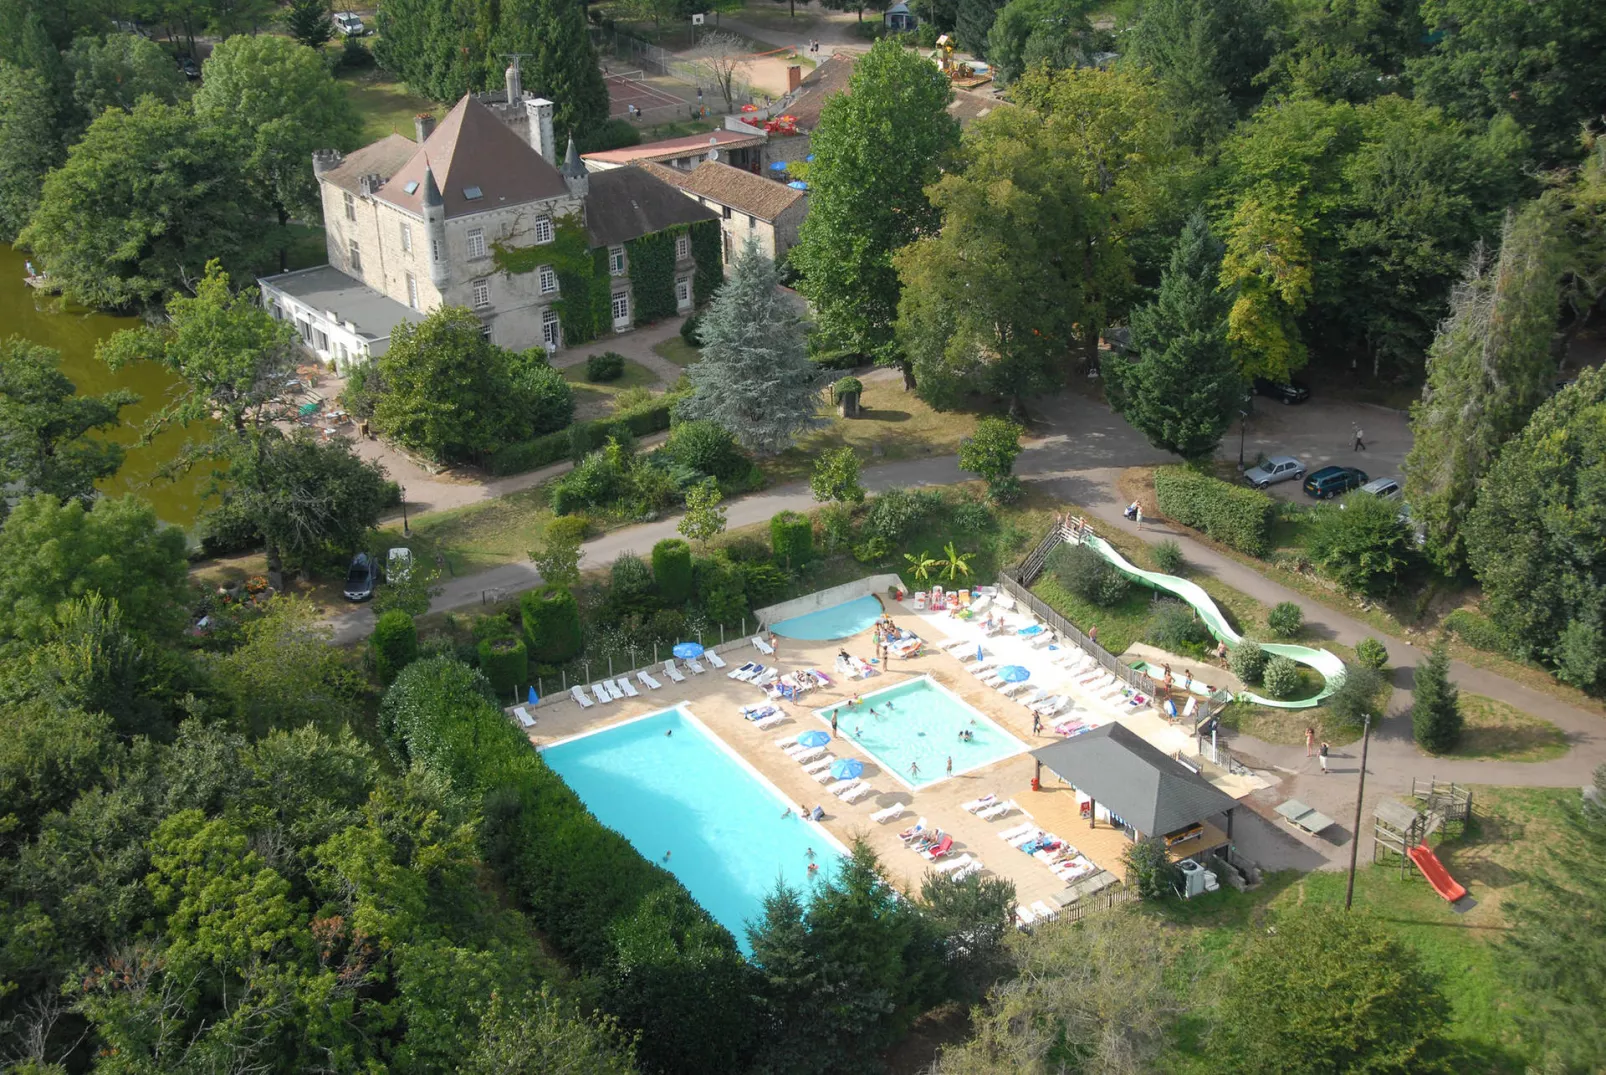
1409	616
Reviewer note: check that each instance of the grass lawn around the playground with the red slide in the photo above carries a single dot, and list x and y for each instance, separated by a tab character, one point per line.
1496	859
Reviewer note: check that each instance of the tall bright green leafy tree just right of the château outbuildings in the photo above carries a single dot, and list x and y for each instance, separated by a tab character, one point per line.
876	152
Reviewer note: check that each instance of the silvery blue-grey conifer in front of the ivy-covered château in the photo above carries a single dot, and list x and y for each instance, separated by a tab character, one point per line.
754	378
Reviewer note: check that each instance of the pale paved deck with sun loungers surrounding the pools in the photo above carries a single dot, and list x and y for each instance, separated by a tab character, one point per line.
717	700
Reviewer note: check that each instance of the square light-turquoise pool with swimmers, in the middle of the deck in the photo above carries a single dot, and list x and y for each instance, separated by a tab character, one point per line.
923	729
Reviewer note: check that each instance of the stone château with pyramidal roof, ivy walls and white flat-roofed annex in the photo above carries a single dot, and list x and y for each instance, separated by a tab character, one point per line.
418	224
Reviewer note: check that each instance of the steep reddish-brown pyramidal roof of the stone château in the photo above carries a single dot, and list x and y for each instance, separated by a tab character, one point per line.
471	152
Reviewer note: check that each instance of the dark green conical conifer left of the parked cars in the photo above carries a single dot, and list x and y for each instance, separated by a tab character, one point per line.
1186	388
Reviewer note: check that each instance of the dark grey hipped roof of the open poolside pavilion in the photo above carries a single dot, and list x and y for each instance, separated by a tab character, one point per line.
1135	780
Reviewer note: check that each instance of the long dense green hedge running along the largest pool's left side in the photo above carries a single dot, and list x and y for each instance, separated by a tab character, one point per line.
661	963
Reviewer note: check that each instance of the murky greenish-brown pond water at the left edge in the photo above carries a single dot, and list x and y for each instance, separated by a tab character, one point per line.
75	333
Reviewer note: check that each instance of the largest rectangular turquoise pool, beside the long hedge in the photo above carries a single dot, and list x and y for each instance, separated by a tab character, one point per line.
688	796
